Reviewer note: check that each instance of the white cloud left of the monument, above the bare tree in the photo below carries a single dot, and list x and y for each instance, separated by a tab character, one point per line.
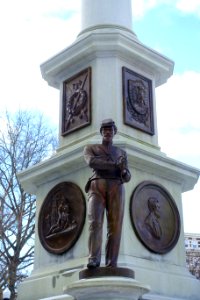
31	32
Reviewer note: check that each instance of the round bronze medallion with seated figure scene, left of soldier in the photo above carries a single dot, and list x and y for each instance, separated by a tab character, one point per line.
61	217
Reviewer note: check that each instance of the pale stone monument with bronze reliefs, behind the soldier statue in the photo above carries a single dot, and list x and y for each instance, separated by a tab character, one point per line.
107	73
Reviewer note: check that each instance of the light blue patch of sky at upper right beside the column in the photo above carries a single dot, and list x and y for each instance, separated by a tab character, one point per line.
173	32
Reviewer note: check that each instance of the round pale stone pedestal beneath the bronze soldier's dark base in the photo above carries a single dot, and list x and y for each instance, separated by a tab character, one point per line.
107	287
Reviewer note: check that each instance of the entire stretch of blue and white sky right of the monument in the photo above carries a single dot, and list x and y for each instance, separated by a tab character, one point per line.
173	29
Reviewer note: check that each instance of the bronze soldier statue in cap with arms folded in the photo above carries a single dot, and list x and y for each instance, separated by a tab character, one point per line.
106	193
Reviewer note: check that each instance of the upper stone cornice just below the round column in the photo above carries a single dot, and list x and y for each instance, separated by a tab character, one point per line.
107	42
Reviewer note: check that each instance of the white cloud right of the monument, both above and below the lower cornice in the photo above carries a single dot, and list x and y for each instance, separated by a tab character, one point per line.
178	109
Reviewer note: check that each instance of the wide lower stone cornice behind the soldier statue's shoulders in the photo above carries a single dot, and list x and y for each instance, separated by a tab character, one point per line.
70	159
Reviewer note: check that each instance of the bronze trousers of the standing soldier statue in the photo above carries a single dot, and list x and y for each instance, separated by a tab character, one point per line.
105	196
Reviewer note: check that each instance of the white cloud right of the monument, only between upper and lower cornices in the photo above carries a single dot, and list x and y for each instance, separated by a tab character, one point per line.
178	109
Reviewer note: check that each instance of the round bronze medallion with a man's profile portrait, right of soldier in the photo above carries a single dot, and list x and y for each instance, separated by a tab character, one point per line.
155	217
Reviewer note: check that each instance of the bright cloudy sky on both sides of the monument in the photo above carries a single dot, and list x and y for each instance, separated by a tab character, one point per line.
32	31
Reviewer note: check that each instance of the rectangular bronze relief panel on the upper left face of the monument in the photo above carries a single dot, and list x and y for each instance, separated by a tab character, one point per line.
76	107
